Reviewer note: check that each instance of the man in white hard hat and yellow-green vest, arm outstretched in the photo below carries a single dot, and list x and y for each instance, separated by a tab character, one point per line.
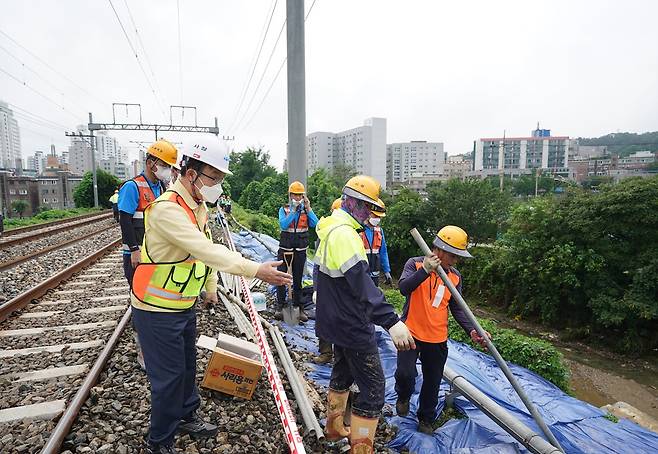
179	260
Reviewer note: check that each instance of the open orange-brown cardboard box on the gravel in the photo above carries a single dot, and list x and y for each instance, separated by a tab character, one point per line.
234	367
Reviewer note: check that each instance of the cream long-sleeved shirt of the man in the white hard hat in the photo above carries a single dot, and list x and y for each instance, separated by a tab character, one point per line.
171	237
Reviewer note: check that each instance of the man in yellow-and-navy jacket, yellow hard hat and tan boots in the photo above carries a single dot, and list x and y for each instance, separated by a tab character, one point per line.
349	305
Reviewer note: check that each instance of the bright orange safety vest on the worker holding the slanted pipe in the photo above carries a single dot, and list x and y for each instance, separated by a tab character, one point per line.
427	319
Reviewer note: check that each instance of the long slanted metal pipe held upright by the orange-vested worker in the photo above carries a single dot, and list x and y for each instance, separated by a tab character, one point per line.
490	346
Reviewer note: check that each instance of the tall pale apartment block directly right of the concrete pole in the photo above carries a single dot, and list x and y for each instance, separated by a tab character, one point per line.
362	148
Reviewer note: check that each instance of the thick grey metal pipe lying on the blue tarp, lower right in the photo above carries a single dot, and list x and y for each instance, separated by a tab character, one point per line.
522	433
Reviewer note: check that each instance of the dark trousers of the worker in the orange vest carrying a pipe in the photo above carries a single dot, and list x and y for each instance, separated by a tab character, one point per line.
432	359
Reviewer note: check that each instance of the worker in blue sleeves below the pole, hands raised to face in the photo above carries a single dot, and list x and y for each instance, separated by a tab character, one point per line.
295	218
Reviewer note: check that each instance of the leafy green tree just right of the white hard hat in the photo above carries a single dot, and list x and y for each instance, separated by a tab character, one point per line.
247	166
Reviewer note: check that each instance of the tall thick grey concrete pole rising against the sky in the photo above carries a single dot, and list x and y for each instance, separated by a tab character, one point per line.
296	91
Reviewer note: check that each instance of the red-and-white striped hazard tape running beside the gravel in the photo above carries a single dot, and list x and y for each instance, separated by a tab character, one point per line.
295	442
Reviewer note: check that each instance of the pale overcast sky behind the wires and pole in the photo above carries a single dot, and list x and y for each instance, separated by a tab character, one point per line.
436	70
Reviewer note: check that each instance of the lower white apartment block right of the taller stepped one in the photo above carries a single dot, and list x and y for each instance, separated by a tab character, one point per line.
417	158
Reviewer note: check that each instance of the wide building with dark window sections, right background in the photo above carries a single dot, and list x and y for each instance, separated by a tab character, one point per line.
522	155
